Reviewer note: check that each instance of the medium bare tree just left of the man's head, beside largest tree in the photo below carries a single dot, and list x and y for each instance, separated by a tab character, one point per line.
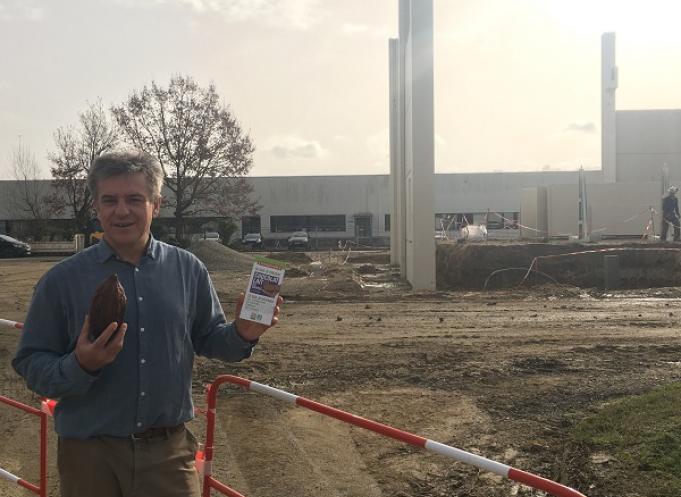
77	148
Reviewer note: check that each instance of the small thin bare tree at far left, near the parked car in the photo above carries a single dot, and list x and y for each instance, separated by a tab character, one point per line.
32	195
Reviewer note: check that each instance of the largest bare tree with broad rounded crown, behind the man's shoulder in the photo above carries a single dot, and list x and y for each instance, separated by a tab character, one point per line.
204	152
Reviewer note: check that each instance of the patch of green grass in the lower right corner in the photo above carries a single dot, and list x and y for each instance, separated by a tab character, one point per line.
643	434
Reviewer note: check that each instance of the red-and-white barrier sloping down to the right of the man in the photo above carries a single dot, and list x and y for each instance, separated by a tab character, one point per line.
529	479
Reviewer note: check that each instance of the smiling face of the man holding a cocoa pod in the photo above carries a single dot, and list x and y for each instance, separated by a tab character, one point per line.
125	209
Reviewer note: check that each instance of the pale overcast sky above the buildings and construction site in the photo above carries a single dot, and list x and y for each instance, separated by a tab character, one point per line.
517	82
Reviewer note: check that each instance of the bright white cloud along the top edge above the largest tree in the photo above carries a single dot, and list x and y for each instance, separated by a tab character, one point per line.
292	14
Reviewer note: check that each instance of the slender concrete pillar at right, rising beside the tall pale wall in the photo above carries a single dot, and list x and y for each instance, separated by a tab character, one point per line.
608	112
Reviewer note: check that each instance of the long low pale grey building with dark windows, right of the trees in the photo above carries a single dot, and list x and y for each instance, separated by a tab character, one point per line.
358	207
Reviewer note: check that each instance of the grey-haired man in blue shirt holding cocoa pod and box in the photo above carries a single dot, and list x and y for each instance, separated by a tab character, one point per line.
124	398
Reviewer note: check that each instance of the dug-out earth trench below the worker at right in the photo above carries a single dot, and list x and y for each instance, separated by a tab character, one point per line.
487	265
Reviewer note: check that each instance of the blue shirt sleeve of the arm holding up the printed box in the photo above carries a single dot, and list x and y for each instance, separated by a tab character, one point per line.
212	336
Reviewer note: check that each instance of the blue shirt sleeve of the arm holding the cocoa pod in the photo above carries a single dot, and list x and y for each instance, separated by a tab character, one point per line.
45	357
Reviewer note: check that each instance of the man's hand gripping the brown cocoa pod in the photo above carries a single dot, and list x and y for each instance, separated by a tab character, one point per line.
93	356
